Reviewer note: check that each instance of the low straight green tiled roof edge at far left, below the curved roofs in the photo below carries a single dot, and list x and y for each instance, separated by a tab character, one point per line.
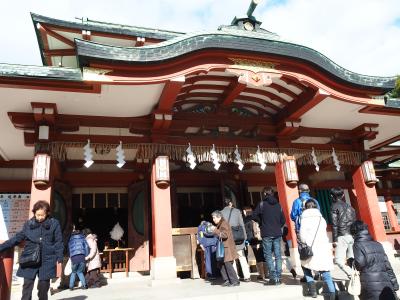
56	73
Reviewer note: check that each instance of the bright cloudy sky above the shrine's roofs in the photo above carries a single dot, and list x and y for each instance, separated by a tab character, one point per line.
360	35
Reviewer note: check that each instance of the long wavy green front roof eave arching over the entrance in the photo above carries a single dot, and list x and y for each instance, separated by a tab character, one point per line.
236	40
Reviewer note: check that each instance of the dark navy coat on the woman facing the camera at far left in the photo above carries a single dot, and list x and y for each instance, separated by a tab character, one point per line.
49	231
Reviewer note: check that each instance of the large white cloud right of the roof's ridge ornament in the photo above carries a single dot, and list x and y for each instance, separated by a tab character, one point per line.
359	35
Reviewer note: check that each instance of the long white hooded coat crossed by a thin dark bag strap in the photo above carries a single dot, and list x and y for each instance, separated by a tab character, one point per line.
322	260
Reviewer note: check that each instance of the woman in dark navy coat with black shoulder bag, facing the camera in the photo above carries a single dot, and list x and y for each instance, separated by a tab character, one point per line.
45	231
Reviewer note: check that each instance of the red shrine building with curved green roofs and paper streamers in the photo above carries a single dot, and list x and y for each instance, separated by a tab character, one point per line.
152	129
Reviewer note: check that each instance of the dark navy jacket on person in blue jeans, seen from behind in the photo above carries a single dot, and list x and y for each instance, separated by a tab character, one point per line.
269	215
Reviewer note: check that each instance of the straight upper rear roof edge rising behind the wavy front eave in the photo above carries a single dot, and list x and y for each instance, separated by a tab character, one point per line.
108	27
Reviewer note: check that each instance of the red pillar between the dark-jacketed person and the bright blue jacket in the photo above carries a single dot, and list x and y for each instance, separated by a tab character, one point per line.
287	194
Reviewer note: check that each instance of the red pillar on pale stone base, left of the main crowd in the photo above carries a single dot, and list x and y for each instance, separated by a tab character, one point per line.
161	219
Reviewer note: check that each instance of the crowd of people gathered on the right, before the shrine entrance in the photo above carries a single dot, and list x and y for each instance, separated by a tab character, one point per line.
265	233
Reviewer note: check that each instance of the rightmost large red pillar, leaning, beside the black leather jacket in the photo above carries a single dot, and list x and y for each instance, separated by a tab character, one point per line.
367	201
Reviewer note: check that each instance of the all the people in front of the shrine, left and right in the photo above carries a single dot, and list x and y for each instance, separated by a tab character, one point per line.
263	231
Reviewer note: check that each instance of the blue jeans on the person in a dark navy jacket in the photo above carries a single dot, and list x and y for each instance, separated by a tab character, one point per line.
275	242
